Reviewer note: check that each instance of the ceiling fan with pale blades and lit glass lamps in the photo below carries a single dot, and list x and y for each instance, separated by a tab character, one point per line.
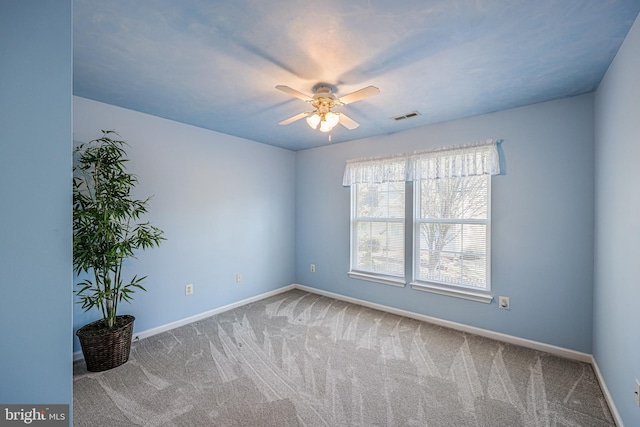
322	117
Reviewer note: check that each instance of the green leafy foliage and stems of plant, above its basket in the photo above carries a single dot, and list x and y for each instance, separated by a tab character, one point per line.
105	224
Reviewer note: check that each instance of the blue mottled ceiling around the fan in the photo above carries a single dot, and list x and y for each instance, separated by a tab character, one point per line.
215	64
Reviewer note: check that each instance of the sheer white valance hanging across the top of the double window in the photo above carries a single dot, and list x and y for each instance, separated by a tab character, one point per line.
481	158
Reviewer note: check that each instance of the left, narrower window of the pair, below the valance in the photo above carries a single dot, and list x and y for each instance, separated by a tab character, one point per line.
378	231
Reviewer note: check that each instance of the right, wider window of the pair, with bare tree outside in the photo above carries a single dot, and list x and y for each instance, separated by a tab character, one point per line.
451	235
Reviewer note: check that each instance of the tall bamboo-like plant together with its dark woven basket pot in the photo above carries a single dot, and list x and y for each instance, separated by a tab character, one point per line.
107	230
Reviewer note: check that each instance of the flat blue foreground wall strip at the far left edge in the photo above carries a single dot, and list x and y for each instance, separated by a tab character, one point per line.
35	202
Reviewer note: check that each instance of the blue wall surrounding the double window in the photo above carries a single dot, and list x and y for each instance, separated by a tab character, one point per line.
542	230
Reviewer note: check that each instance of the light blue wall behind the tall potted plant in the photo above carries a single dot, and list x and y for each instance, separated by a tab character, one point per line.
226	206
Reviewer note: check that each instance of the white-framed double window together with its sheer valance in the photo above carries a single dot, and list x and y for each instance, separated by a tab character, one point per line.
449	224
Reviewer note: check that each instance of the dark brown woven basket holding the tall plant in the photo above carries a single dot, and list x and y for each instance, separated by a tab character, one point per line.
106	348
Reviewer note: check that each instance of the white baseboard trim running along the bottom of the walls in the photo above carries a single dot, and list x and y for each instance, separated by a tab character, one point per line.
535	345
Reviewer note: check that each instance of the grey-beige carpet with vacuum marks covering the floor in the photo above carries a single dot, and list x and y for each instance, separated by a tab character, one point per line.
300	359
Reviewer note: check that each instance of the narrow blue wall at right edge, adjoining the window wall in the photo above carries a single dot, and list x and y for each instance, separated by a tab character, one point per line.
617	268
